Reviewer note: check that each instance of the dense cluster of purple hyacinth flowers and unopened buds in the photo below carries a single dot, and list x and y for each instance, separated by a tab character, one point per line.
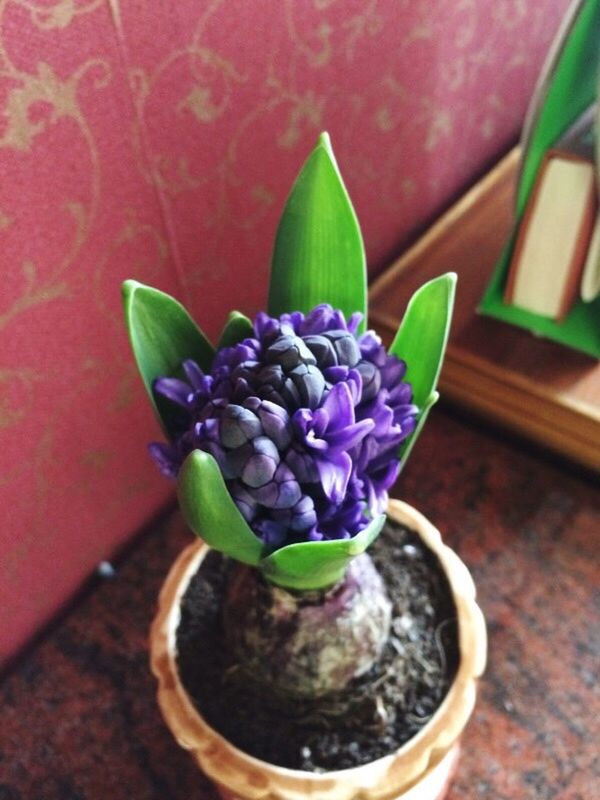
304	420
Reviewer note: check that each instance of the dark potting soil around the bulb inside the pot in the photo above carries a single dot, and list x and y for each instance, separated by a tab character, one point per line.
375	715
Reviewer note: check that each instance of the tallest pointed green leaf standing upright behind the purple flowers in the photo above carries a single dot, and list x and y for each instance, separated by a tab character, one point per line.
319	256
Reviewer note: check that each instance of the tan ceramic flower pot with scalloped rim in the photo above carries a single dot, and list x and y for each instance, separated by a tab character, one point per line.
419	770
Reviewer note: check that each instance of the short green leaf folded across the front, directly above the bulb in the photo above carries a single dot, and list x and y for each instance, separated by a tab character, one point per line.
317	565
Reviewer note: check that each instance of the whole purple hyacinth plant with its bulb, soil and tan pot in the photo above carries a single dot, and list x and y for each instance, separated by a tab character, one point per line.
298	652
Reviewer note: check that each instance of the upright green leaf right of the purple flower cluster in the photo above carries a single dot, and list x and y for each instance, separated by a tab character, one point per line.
421	342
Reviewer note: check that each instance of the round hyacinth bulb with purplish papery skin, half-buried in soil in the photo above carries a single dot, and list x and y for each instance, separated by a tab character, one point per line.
309	644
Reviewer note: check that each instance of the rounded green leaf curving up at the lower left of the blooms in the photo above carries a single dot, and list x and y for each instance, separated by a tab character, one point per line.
211	512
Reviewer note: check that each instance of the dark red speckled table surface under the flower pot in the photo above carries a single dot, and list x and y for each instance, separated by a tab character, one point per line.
79	718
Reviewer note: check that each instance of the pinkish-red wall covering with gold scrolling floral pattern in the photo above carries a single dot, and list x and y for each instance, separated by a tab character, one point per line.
158	140
